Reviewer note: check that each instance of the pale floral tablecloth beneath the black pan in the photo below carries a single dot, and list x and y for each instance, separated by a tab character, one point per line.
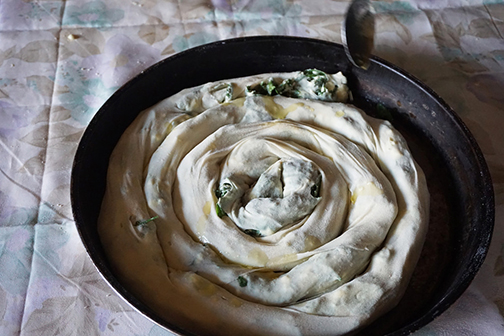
60	60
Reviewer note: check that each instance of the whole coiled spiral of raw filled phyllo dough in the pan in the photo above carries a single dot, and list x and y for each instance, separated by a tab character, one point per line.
264	206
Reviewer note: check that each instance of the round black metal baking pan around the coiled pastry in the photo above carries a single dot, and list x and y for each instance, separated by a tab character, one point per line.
462	204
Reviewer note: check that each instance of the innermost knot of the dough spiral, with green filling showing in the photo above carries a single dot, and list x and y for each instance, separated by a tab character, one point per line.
284	193
